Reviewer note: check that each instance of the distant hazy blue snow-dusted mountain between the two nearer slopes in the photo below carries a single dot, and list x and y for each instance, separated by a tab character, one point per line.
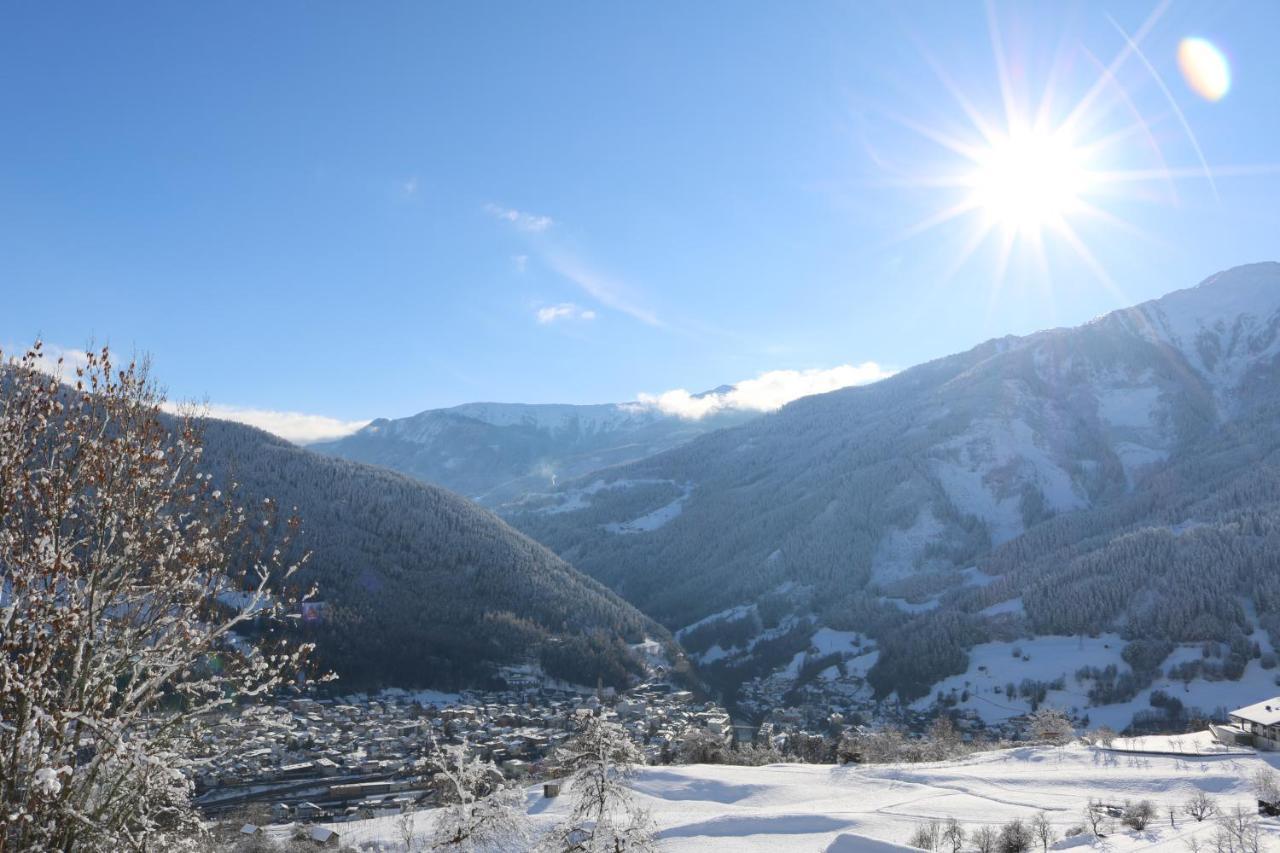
499	453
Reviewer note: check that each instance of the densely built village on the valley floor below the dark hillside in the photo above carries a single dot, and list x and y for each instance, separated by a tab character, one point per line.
336	759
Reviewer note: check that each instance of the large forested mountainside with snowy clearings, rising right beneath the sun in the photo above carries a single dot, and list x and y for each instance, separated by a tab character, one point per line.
1117	477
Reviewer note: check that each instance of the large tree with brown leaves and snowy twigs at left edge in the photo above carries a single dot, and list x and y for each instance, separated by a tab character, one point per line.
117	560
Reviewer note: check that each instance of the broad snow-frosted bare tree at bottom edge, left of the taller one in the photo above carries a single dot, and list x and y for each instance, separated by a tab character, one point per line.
482	813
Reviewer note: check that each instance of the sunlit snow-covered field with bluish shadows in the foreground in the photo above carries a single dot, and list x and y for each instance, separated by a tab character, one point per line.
812	809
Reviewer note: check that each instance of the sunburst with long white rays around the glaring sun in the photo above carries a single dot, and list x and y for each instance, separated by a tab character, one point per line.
1052	163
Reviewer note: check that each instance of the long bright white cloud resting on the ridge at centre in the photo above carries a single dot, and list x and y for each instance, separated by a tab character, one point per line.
767	393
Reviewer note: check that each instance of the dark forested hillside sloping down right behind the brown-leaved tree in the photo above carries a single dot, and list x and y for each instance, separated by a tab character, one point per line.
422	586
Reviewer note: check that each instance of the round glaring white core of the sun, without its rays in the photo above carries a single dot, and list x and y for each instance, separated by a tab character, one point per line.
1030	180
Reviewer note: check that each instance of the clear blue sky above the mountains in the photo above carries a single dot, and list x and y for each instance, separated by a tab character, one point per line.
365	211
